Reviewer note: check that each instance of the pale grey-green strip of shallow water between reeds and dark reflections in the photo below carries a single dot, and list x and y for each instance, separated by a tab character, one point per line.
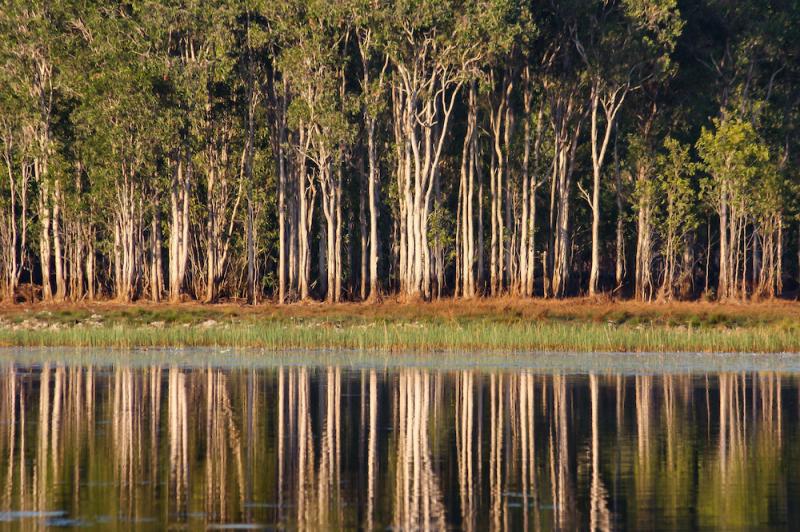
541	362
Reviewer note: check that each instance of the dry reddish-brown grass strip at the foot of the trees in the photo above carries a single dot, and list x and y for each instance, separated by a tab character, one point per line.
580	309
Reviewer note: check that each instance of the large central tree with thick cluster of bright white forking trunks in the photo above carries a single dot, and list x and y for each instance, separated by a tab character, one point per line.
430	52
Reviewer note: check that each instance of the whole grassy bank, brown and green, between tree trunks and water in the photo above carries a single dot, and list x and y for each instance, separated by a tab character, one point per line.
502	324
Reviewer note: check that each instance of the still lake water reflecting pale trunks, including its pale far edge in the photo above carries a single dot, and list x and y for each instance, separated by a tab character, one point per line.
193	440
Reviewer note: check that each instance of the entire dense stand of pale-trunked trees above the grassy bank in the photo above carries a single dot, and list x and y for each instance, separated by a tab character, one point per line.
349	150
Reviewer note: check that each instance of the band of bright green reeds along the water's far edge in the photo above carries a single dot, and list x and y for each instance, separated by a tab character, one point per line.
431	335
